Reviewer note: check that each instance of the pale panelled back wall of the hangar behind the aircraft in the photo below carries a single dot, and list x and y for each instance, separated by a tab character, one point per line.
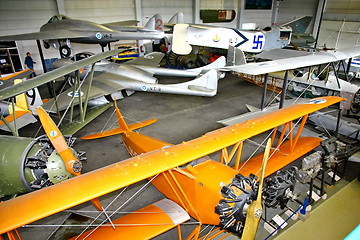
22	16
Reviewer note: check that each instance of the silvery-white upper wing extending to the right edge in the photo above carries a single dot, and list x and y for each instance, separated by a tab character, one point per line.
310	59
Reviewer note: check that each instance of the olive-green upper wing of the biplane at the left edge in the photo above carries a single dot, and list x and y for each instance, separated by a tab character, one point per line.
48	77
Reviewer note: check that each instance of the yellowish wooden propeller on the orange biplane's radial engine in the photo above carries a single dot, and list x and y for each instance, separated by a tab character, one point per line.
255	209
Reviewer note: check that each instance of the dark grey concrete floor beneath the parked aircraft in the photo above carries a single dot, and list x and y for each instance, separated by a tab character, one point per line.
180	118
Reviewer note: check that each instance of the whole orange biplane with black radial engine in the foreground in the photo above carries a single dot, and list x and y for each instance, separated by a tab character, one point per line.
210	191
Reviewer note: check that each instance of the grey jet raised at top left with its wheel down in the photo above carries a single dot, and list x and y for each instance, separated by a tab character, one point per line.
60	30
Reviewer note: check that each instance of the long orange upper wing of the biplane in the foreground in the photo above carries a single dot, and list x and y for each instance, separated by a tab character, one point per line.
21	210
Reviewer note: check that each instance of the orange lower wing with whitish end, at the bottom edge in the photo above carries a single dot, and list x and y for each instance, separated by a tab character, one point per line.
156	218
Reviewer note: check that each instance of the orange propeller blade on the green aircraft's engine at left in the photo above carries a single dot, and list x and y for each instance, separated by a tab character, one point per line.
73	165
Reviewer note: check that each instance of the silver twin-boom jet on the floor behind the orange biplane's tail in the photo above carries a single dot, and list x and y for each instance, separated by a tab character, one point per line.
137	75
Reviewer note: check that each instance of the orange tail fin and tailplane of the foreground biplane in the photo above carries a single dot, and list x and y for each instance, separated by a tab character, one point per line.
123	127
